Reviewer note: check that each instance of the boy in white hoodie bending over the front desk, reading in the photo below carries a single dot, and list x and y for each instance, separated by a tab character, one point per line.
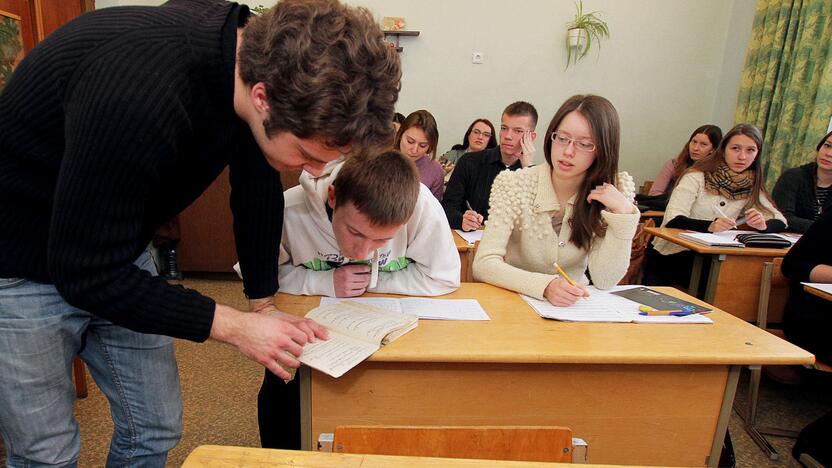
359	216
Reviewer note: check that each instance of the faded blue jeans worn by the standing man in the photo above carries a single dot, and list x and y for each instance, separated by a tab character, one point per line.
40	334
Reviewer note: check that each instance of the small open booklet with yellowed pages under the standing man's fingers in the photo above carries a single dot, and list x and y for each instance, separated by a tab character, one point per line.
356	331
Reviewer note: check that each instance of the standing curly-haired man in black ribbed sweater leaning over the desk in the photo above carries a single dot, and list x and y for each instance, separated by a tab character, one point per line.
108	128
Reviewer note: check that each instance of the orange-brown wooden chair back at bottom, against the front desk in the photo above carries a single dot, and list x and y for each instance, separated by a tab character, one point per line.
518	443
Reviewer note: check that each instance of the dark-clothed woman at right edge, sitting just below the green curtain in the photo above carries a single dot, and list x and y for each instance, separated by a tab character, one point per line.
804	193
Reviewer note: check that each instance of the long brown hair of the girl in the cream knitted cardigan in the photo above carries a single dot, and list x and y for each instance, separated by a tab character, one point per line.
605	127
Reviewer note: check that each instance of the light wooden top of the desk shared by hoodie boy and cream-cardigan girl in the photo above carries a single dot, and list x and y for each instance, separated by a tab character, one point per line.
516	334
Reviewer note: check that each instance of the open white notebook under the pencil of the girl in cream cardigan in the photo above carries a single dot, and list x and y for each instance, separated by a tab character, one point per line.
601	306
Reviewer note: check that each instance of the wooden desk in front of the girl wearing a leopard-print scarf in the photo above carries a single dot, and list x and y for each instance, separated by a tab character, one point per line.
734	279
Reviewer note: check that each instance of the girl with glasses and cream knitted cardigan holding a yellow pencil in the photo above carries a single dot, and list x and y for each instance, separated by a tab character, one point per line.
576	210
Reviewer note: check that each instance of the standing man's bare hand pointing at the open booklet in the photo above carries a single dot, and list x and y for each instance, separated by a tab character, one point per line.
272	341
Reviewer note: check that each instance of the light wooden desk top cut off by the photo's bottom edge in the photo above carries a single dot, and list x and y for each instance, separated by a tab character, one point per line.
215	456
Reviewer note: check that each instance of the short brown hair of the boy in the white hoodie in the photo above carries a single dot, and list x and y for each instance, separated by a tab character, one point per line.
384	187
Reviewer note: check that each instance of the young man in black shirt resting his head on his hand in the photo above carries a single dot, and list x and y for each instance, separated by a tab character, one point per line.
466	196
